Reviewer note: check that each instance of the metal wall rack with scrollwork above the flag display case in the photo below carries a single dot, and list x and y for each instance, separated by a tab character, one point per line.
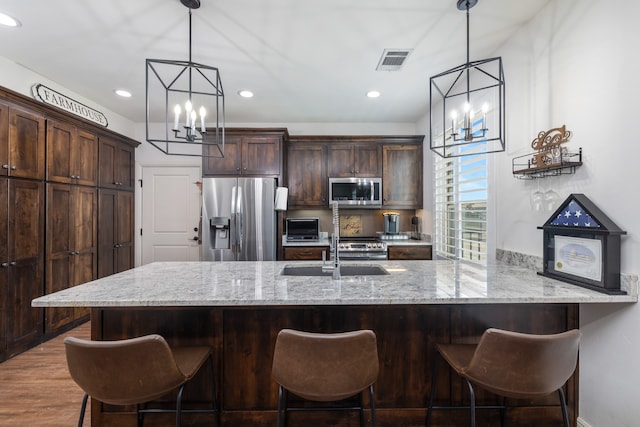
551	158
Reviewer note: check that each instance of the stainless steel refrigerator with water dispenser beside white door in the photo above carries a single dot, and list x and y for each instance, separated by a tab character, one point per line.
238	219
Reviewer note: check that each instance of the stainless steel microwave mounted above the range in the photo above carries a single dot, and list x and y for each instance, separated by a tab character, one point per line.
356	192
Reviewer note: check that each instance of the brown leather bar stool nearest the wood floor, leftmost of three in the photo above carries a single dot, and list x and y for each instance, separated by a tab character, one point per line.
136	371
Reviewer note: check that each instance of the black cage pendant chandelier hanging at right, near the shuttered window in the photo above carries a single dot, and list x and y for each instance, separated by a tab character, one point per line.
467	105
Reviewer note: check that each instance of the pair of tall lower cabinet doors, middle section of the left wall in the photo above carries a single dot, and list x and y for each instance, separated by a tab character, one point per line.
72	252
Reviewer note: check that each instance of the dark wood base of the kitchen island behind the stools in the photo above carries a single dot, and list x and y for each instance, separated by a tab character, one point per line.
243	339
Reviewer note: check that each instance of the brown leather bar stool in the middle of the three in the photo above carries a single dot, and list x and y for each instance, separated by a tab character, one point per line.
325	368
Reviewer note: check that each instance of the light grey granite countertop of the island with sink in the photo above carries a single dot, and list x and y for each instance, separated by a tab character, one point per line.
248	283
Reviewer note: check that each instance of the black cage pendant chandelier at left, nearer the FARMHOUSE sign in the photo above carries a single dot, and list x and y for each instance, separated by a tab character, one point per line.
185	105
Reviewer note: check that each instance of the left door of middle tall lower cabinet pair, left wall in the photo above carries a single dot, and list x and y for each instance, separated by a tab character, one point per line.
59	251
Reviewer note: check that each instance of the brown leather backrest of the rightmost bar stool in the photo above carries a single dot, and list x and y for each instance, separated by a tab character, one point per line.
521	365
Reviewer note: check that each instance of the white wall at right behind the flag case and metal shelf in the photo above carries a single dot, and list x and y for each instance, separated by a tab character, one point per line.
576	64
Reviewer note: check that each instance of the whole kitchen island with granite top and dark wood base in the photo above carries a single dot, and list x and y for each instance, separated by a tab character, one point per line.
238	308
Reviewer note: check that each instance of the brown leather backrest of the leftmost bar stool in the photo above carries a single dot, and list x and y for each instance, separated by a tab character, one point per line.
123	372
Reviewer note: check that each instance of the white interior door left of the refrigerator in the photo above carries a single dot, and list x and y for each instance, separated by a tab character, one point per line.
170	214
